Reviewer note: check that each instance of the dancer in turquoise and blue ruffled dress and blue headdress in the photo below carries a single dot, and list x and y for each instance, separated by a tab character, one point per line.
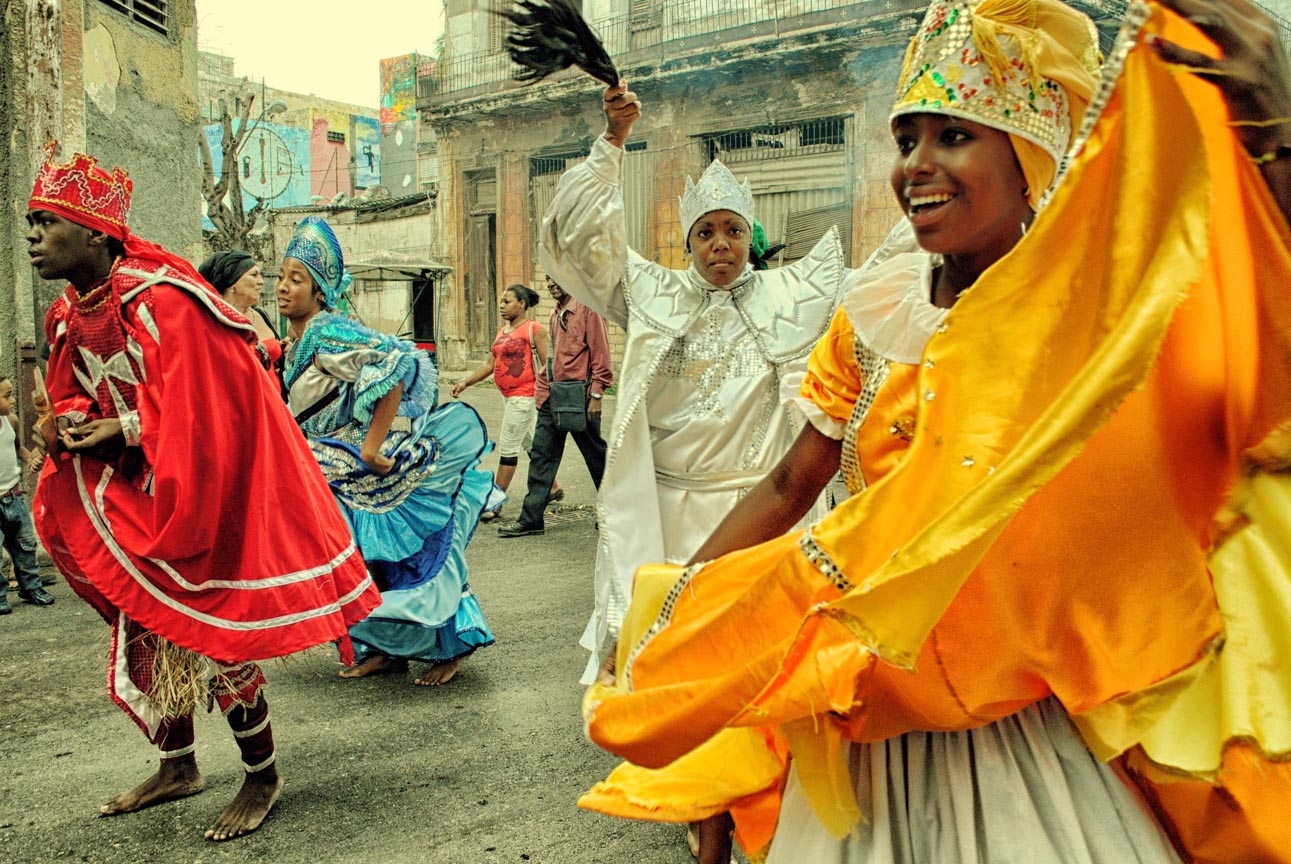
405	472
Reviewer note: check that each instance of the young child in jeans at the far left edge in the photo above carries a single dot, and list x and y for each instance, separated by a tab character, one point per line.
20	537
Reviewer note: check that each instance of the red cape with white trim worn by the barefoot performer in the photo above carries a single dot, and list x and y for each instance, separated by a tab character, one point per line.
236	550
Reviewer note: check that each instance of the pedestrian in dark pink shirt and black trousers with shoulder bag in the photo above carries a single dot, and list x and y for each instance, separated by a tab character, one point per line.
580	352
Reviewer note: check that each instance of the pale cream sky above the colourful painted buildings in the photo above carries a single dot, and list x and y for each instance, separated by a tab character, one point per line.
330	50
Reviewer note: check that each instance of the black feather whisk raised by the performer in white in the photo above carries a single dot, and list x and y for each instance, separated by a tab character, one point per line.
552	36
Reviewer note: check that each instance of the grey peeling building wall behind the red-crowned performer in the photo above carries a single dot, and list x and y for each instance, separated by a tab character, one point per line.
113	78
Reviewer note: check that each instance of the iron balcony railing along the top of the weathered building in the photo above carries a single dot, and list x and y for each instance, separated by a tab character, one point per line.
680	25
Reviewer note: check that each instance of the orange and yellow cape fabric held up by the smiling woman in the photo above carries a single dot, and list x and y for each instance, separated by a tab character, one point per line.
1048	530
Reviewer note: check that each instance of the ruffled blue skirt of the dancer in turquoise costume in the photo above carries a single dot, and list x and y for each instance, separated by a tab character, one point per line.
412	528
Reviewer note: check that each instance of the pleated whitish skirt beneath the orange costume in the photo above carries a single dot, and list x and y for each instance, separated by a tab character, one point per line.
1024	791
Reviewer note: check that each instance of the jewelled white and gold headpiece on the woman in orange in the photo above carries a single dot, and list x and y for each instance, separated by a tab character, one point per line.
1008	64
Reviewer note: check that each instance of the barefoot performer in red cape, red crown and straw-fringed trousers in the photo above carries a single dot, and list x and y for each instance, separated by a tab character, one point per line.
180	500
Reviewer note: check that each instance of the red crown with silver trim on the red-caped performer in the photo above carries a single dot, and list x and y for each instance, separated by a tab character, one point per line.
85	193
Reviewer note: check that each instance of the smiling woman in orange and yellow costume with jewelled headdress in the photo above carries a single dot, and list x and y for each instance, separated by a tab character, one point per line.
1068	449
